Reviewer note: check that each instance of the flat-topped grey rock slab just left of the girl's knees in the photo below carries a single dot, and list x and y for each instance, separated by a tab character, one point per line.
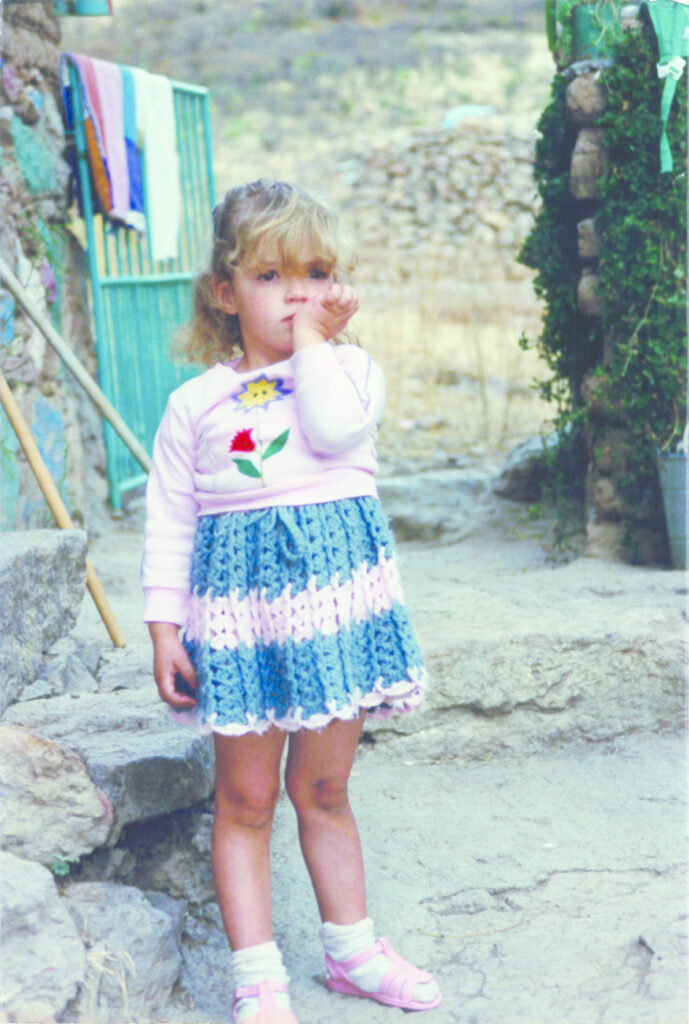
146	763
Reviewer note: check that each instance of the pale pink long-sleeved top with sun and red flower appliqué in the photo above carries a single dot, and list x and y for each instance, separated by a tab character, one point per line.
296	433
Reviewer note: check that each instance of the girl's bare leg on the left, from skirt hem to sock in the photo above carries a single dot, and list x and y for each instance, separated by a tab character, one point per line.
246	794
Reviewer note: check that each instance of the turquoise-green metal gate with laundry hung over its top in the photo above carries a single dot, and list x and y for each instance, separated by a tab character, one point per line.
139	304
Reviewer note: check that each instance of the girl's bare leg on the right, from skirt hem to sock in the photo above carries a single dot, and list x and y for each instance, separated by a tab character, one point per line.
318	772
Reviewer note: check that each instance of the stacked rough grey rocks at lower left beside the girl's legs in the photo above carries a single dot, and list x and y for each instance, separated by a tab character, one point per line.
89	753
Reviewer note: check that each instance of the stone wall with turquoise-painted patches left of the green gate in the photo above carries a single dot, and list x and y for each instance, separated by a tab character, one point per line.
38	245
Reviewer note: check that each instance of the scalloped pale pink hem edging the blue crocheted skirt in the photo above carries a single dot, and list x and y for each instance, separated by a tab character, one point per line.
379	704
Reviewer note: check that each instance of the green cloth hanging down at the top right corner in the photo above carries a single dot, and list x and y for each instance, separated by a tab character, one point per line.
671	22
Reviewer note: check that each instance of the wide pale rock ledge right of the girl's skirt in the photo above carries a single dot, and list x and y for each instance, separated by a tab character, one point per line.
585	653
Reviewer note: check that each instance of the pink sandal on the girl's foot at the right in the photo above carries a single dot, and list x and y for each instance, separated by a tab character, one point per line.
397	988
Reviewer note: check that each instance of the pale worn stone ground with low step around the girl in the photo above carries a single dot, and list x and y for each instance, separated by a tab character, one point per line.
529	847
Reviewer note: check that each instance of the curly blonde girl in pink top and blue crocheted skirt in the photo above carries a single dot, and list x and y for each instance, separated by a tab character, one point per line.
266	542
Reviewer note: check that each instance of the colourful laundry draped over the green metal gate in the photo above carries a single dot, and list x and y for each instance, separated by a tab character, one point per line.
132	141
